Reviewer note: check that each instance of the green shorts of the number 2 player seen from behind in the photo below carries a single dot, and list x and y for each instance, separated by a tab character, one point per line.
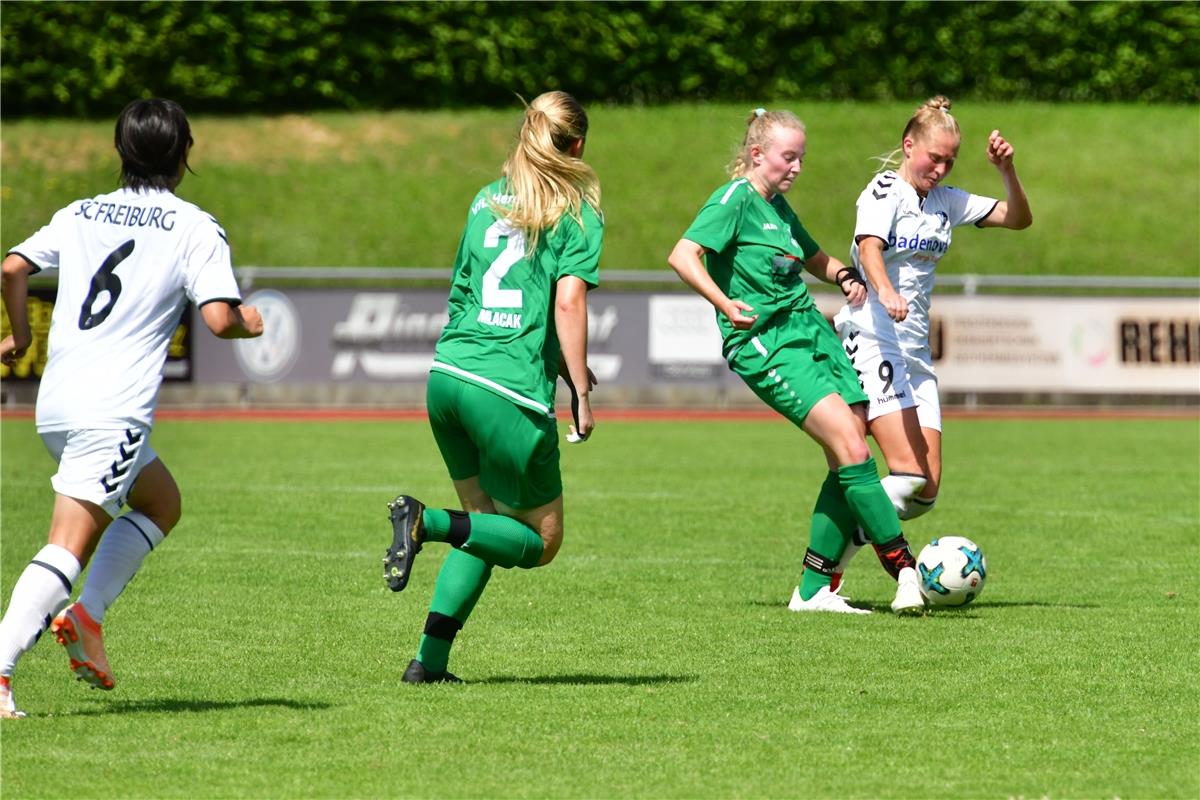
514	450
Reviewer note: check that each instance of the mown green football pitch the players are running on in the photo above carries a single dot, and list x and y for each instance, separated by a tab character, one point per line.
259	653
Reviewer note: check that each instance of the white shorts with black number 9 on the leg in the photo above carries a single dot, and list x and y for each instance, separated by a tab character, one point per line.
892	378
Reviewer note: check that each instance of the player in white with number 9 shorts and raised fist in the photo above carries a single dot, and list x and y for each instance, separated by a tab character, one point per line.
905	219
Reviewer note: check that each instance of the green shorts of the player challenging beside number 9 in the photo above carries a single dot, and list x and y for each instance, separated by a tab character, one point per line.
795	363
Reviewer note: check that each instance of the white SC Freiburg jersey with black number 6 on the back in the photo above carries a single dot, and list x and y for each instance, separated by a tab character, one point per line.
129	262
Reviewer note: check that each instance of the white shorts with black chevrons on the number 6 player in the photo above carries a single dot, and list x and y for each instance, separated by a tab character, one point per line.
99	466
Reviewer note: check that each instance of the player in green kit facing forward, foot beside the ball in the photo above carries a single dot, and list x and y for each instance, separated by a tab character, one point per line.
745	254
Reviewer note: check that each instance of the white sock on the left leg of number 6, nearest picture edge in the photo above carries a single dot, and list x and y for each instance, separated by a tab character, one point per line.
43	591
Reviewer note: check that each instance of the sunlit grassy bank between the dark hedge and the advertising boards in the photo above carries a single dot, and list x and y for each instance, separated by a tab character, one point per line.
1114	188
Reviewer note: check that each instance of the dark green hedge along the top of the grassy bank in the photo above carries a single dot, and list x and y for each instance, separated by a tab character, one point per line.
81	59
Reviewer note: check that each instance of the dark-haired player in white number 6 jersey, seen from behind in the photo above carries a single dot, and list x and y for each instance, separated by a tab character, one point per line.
129	263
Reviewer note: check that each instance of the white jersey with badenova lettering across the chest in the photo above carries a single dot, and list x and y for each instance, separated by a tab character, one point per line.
916	233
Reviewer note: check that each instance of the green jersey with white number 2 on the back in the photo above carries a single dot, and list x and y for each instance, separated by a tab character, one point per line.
501	333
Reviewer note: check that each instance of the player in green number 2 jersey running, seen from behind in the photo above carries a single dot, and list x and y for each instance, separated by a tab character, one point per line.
519	320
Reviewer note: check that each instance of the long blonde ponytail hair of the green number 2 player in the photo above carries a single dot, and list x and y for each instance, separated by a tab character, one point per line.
543	178
